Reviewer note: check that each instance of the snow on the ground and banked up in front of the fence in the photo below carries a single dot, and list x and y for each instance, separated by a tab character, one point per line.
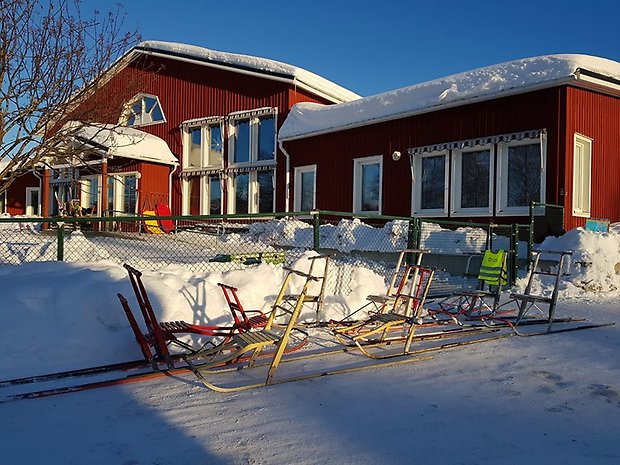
549	399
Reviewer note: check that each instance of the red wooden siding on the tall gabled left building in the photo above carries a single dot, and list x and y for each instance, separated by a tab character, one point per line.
188	91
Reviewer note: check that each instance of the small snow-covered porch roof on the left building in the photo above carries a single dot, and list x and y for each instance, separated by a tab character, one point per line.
118	141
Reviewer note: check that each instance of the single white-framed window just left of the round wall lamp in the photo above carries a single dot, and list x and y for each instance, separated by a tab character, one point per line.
367	184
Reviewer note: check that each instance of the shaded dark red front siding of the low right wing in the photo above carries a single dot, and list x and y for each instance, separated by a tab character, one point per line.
334	152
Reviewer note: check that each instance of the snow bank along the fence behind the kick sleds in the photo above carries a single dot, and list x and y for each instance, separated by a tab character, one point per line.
66	315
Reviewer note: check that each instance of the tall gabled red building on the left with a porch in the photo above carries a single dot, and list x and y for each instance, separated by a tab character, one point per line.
185	126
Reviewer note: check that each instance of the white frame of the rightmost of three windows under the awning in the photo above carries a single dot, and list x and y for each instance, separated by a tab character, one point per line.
501	193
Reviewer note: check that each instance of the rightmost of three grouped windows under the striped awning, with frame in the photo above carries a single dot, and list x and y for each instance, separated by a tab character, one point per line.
521	175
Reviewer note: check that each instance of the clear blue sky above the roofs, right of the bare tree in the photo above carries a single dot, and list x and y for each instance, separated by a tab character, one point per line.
376	46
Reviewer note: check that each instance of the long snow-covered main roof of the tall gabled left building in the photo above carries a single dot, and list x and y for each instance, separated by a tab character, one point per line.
250	65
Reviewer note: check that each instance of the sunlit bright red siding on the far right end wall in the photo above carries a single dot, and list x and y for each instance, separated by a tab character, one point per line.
597	116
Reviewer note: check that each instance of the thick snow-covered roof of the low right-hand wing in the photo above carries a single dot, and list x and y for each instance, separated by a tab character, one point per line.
310	119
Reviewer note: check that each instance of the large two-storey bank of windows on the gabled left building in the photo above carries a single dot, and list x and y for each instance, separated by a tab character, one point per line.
250	158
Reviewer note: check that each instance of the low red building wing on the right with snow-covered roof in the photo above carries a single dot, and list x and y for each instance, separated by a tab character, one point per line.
478	145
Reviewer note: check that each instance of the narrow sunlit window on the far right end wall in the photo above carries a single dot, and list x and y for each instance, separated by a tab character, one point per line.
582	172
